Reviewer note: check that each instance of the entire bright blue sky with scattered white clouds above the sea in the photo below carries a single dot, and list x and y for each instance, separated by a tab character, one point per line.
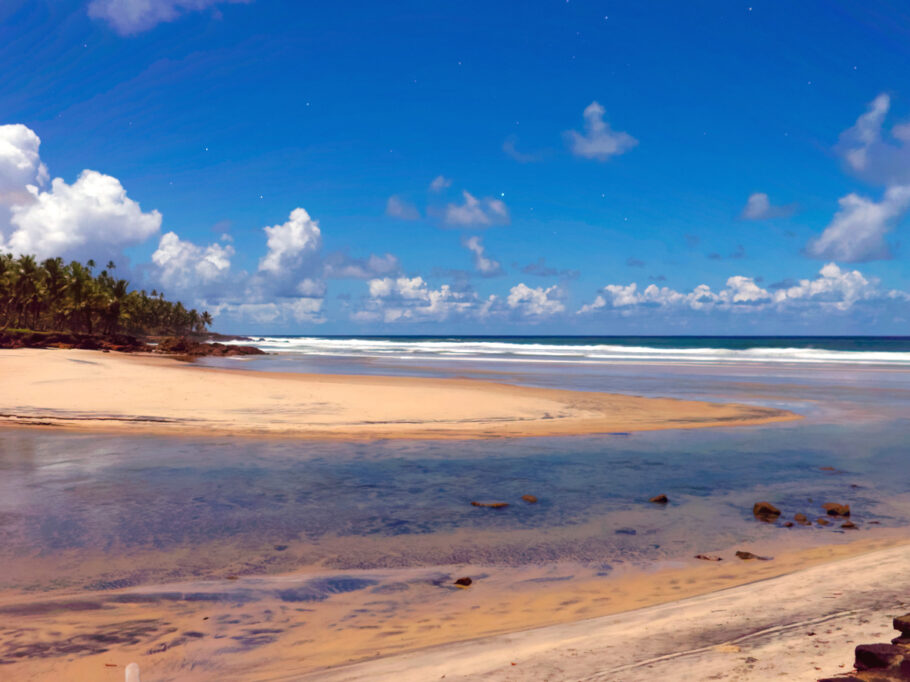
714	151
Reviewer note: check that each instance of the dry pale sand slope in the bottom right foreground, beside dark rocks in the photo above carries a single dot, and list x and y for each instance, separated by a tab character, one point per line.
783	626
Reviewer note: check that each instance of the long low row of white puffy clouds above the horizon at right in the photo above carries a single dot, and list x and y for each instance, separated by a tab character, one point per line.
833	289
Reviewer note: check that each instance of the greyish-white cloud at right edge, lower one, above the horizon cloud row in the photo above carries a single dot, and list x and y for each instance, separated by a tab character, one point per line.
857	232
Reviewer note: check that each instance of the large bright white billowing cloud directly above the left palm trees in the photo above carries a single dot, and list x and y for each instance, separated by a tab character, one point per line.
92	218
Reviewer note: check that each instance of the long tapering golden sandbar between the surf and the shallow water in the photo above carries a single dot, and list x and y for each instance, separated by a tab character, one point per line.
93	391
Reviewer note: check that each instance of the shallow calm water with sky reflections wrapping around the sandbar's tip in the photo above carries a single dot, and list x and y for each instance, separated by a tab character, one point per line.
95	523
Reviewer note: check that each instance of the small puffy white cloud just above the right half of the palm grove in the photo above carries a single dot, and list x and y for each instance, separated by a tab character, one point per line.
184	266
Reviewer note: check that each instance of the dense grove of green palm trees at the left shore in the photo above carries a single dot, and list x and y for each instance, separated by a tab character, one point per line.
55	296
